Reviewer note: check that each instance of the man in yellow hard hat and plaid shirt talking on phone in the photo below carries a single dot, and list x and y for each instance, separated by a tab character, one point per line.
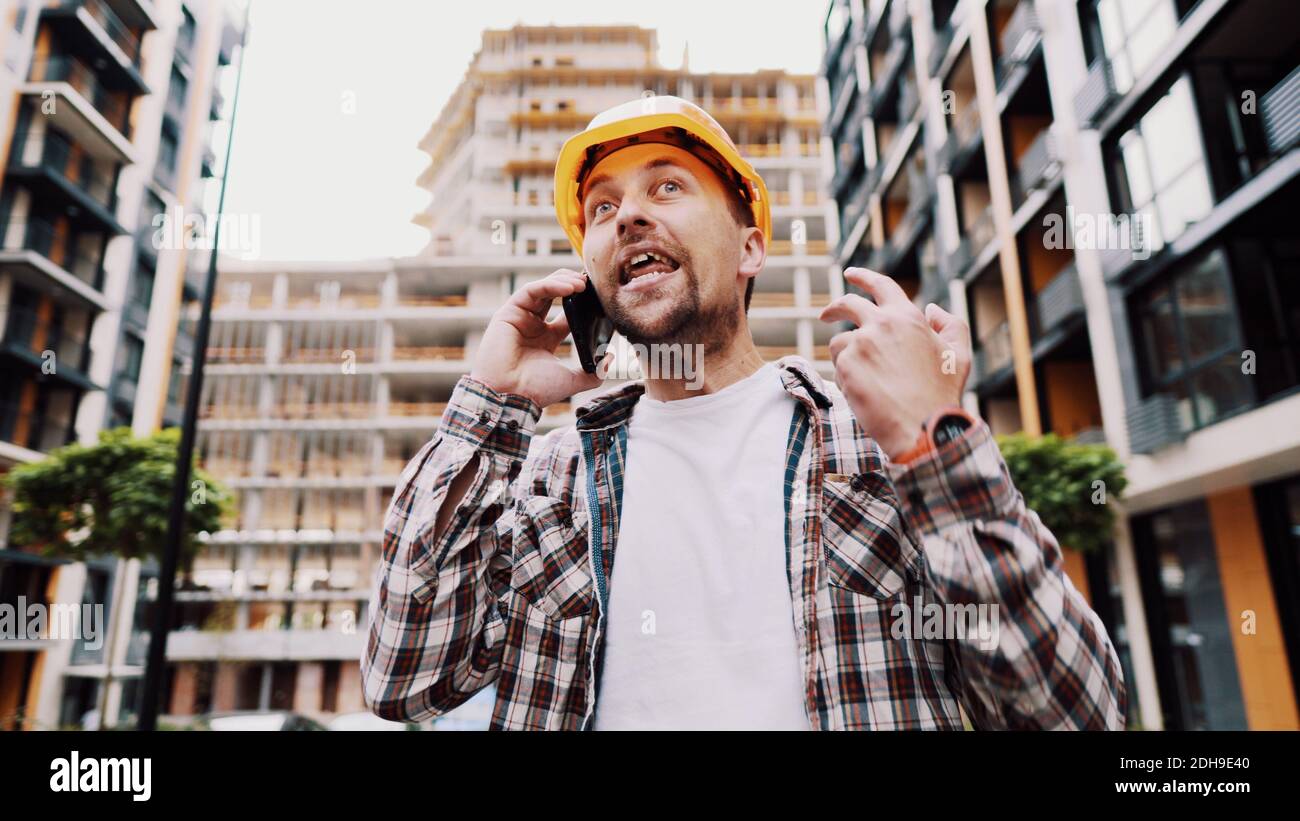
748	555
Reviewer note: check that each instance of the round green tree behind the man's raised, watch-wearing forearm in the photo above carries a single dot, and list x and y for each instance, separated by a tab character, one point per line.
1071	486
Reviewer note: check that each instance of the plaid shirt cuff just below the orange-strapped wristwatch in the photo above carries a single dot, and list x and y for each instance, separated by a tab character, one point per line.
965	480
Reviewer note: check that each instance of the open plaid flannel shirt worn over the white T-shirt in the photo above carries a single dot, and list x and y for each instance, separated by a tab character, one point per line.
515	592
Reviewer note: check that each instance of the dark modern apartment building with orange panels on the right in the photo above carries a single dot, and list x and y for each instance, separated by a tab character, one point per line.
1106	190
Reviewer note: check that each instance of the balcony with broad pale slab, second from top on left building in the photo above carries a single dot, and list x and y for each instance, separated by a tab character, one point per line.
98	119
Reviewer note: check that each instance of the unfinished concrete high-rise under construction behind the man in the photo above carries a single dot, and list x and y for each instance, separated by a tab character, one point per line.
327	379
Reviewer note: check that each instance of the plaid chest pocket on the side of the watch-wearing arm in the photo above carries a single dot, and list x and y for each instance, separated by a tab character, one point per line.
866	548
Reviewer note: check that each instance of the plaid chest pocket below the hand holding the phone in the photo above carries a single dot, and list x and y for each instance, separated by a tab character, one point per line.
552	570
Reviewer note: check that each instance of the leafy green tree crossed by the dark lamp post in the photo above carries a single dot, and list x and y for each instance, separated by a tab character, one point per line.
111	498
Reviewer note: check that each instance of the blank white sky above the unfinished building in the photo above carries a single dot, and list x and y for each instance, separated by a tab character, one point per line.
328	185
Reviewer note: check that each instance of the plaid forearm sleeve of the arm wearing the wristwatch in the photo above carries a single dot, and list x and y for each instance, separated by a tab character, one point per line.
1051	663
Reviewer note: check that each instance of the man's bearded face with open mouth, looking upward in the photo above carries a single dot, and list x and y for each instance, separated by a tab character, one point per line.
665	201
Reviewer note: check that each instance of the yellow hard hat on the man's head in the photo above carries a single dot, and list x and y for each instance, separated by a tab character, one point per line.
653	120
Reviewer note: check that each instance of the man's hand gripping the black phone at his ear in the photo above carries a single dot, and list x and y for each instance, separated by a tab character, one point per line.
518	350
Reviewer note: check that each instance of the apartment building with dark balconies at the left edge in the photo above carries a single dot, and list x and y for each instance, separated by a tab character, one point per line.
111	118
